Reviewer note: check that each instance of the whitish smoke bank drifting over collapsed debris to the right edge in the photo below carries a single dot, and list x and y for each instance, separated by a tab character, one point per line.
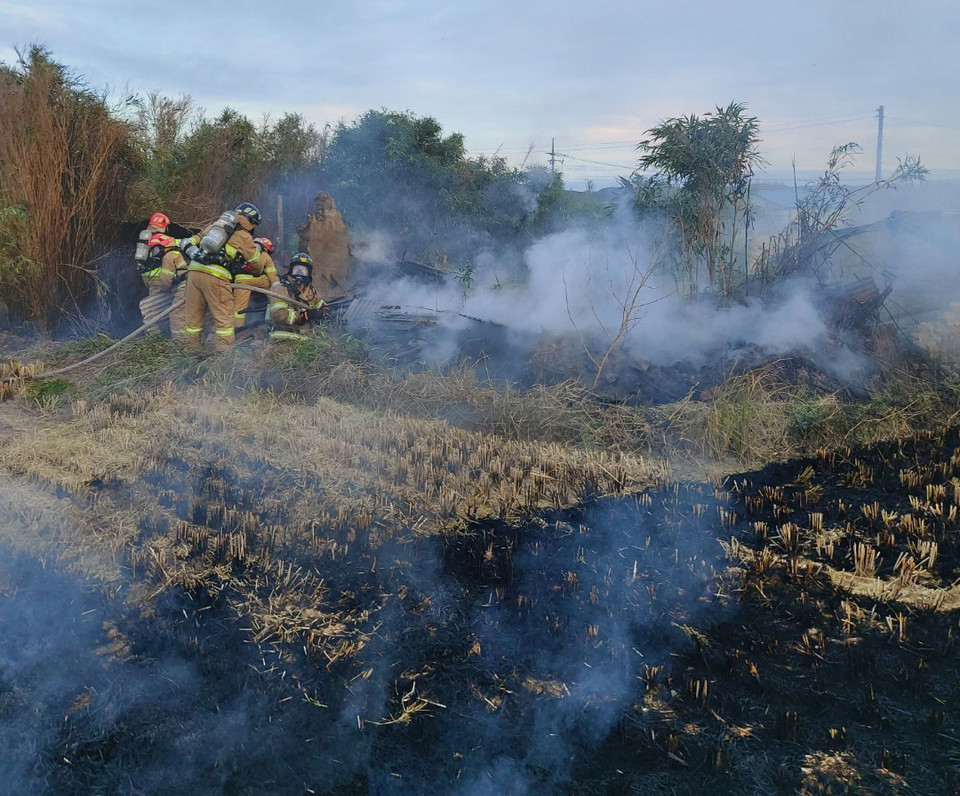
603	284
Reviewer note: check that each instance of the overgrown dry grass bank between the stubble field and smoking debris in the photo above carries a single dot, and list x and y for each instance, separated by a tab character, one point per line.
747	421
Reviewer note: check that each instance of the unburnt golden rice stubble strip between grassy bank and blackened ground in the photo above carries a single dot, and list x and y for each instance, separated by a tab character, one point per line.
350	469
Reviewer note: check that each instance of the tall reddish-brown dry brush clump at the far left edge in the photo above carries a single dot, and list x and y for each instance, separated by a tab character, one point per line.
64	166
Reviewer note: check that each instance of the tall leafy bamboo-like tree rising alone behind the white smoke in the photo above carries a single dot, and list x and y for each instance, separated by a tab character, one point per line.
706	163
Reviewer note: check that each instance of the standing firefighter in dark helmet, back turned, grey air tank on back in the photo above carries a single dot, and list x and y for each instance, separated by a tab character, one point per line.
210	272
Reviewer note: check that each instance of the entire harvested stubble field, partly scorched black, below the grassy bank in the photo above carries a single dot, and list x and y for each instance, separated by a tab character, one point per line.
185	607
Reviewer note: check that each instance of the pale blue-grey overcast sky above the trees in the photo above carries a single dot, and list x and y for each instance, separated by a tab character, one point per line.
513	76
